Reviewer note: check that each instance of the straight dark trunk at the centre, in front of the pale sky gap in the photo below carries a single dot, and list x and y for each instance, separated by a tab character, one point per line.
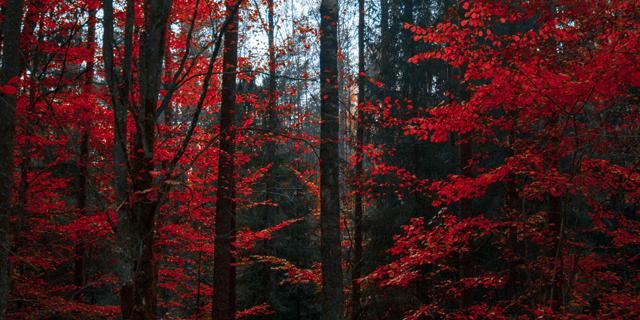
331	255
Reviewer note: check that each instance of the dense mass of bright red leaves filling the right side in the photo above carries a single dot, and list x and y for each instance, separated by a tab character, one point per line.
553	117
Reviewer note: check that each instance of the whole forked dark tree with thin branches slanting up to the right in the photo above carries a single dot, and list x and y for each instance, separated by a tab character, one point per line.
137	233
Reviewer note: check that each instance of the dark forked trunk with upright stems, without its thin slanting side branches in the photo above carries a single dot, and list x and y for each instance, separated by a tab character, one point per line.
137	271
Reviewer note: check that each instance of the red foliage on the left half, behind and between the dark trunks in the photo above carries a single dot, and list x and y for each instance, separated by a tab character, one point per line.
57	102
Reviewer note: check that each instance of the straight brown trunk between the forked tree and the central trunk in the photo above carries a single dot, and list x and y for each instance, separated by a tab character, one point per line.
223	305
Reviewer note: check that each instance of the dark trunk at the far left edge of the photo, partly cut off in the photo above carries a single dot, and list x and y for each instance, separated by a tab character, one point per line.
10	69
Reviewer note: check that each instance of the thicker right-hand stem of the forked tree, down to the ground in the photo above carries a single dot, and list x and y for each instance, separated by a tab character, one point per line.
152	47
